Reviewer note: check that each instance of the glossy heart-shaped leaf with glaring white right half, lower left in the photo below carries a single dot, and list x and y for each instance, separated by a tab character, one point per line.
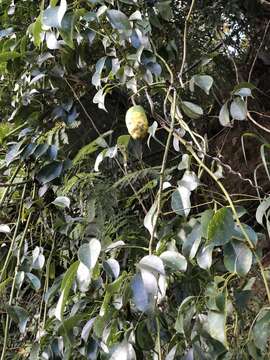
88	253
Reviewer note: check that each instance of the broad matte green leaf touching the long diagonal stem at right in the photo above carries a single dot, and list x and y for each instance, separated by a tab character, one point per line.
221	227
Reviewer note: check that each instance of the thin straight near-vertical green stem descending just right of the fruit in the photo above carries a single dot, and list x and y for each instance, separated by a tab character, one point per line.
162	171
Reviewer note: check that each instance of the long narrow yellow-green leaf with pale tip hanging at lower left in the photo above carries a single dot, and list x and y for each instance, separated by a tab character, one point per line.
65	289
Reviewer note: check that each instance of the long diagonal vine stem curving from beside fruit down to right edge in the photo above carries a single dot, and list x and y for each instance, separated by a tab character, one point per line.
230	202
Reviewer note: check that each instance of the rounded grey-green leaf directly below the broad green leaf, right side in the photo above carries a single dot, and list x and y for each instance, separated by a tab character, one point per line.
237	257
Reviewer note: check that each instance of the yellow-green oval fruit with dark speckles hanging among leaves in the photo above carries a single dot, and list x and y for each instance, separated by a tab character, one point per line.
136	121
